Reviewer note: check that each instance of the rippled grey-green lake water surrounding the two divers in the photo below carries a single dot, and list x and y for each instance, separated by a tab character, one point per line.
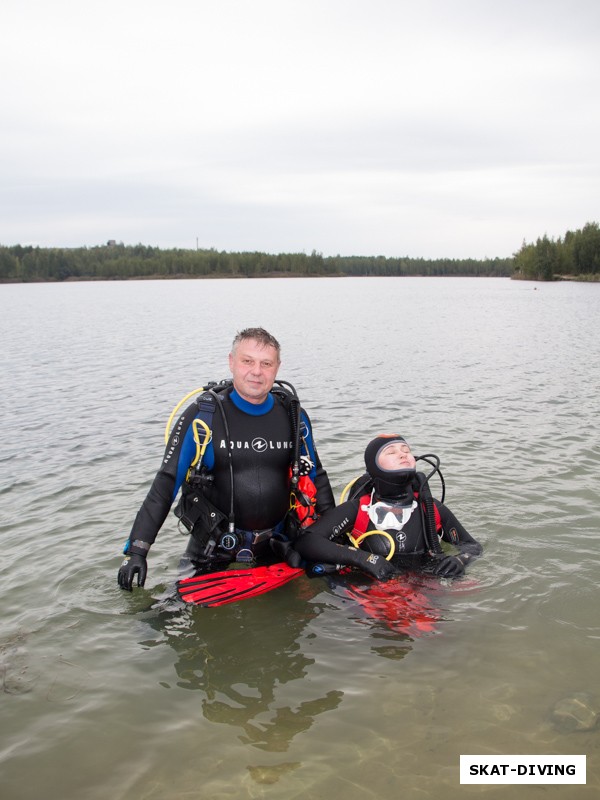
298	693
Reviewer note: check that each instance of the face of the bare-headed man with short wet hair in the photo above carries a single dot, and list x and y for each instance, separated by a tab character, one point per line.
254	369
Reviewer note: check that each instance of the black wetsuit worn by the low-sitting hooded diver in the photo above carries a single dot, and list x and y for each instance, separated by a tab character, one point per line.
326	541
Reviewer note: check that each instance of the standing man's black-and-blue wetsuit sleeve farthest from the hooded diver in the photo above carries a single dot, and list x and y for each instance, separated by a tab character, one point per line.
178	456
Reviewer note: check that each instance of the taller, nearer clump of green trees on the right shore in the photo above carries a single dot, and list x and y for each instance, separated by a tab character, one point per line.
577	255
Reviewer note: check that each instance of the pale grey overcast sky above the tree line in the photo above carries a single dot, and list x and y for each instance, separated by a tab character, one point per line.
423	128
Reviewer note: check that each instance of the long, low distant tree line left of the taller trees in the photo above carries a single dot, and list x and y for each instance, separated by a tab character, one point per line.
115	261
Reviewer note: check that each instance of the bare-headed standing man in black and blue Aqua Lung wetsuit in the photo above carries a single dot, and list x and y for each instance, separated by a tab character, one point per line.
240	498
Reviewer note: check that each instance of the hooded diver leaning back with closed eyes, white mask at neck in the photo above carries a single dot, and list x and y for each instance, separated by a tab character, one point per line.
392	521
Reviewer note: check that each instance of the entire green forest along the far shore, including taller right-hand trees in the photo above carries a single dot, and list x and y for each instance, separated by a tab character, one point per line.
577	255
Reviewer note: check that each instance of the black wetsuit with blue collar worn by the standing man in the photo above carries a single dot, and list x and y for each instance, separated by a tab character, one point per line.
260	446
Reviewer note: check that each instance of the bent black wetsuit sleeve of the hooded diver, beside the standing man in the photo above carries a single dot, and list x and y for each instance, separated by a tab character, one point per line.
316	544
